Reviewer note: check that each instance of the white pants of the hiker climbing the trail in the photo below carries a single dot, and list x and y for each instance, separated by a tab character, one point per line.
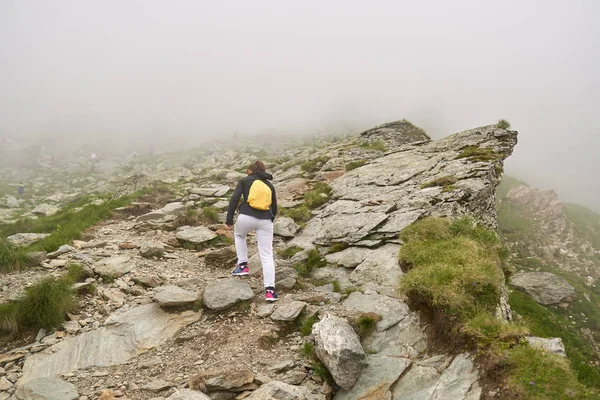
264	236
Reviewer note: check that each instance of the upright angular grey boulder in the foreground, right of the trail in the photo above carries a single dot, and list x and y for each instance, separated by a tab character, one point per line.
339	349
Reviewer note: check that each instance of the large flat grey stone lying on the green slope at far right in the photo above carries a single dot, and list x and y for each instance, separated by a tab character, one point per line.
544	287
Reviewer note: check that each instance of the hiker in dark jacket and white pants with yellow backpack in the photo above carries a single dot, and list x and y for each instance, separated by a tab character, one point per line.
256	213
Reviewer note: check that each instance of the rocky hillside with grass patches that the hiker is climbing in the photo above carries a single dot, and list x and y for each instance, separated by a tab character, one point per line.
390	274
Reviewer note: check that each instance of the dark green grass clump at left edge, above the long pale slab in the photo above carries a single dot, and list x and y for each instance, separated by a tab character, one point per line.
44	305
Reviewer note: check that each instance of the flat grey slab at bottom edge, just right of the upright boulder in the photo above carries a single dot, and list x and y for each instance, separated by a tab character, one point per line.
376	380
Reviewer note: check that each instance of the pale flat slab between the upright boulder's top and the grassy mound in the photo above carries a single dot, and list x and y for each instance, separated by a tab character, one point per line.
391	310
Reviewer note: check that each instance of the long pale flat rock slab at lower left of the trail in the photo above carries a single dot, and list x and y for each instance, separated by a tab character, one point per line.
124	336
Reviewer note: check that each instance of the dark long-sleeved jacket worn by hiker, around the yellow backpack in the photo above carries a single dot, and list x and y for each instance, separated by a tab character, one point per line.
242	189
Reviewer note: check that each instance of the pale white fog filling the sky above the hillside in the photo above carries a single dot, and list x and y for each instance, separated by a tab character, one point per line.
127	71
